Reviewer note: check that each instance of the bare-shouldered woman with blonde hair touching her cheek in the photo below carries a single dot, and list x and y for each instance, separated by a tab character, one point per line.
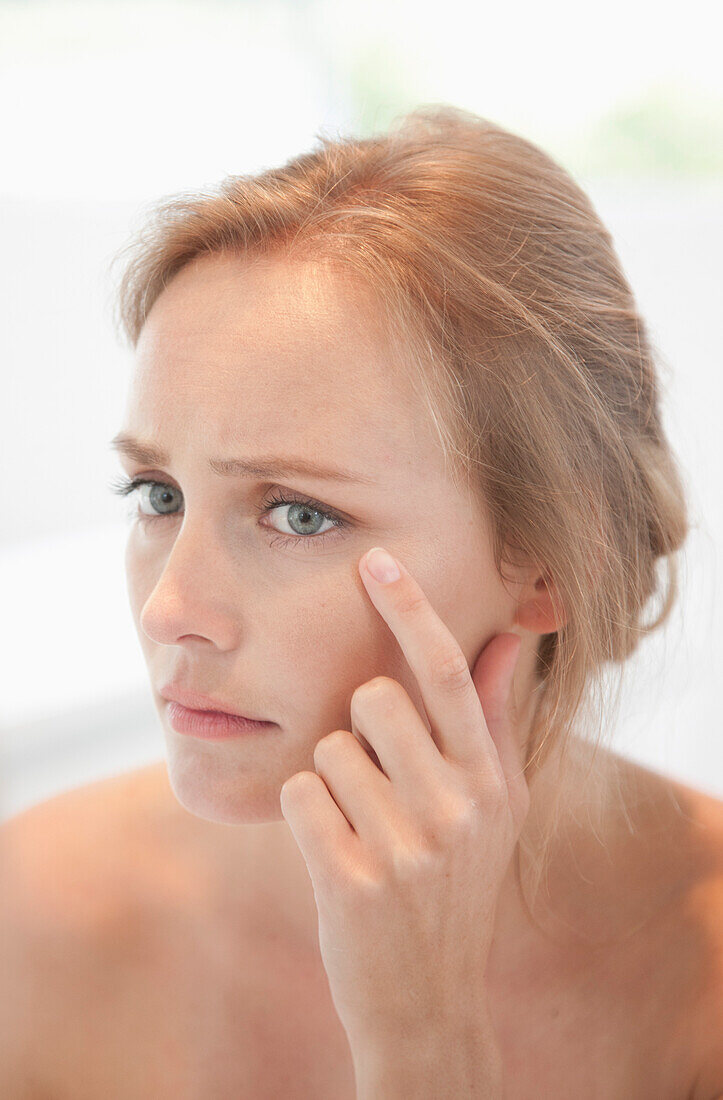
424	344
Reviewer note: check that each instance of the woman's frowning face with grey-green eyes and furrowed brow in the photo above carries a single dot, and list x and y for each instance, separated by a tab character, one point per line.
262	607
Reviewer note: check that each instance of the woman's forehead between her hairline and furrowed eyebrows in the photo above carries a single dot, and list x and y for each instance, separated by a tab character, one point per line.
268	351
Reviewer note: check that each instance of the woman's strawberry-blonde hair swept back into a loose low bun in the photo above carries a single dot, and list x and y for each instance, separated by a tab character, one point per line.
523	337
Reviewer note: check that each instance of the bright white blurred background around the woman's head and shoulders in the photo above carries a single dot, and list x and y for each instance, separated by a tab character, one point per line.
112	105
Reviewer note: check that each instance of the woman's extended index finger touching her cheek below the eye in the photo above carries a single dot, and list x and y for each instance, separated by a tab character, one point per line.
439	664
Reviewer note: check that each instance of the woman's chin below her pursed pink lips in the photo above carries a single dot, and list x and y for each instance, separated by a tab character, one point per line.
210	787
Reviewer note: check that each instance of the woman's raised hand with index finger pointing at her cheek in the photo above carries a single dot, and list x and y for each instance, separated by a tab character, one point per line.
408	861
